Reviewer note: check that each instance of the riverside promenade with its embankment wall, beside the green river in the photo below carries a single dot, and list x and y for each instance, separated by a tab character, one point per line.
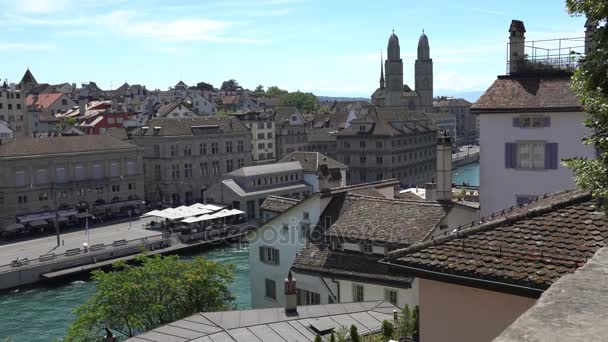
29	262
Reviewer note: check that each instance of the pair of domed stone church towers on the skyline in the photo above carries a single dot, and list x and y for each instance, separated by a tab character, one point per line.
392	92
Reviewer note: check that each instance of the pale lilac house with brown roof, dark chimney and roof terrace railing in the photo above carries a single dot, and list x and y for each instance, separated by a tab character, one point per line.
530	120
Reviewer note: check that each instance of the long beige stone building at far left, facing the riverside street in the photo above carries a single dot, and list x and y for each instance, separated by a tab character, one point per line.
39	176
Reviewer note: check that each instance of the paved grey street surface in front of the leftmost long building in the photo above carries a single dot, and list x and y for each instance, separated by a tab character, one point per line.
32	249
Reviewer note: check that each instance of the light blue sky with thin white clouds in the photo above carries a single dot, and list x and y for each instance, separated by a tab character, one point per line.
329	47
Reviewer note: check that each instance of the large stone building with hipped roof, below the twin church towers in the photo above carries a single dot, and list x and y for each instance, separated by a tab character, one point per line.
388	143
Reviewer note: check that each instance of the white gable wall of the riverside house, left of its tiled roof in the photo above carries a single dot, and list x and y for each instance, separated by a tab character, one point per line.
288	244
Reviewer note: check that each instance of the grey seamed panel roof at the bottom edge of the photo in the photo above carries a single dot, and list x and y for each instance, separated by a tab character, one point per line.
269	325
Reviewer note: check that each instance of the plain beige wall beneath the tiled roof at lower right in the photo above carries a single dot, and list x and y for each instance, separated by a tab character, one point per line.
458	313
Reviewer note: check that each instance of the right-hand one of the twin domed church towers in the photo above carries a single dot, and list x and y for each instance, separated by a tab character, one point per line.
424	73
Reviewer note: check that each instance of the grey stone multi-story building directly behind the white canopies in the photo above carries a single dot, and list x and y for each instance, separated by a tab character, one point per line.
184	156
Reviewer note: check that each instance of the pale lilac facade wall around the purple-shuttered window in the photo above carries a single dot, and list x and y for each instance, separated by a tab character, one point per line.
499	186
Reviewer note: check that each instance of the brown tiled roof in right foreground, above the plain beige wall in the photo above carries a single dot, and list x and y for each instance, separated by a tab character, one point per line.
531	246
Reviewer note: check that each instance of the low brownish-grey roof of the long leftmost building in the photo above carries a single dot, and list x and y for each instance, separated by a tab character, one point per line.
25	146
